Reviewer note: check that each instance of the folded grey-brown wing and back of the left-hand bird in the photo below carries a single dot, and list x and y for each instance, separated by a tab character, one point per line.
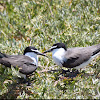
26	65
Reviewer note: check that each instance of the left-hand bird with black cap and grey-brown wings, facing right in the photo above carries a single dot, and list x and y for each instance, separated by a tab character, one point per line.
27	63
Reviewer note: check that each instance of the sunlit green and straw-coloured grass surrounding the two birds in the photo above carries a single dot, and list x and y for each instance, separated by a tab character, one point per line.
42	23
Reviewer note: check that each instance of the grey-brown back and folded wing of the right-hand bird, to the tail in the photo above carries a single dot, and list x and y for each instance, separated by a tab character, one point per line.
78	55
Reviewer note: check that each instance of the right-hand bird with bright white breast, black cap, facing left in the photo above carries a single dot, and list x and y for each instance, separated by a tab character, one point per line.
77	57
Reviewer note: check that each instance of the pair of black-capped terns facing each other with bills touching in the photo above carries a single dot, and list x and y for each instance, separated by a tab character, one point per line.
77	57
